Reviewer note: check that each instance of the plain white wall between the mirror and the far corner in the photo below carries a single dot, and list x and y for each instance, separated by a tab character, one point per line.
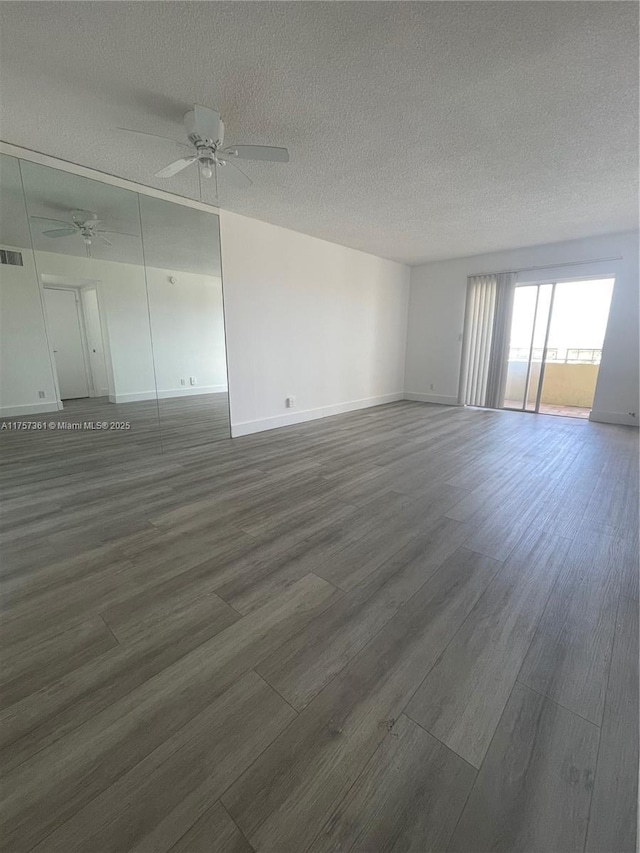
309	319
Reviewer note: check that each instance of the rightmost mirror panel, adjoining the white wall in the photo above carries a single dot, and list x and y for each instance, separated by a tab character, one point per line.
184	286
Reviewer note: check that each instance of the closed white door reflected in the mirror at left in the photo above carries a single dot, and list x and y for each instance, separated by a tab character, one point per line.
63	323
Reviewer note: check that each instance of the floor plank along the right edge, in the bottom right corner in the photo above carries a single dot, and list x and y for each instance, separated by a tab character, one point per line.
613	822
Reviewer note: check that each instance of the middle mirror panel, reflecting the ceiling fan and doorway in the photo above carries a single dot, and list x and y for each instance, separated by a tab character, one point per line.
88	253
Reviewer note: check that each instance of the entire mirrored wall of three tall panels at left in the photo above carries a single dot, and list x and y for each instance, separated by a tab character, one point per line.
110	309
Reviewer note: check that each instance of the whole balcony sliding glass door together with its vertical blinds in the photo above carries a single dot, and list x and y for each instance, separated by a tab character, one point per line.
533	347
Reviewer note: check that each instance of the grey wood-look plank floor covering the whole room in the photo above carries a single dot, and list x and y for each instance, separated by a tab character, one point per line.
410	628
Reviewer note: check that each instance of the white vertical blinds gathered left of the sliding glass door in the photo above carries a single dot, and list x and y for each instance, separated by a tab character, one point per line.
485	347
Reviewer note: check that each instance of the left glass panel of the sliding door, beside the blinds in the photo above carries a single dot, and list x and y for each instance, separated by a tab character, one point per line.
532	307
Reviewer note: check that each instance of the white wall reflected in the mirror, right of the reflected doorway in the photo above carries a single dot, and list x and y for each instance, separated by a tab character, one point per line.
187	325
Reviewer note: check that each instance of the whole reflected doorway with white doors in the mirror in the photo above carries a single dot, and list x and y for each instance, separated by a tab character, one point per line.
75	333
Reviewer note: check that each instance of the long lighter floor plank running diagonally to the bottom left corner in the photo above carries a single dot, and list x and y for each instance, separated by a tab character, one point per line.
92	756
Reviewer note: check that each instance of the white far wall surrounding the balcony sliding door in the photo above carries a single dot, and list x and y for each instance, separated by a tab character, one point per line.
436	318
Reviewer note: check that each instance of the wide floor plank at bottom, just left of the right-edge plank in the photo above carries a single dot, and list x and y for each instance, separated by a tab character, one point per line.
533	791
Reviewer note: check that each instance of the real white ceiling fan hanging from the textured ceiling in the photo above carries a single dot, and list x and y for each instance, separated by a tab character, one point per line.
205	132
